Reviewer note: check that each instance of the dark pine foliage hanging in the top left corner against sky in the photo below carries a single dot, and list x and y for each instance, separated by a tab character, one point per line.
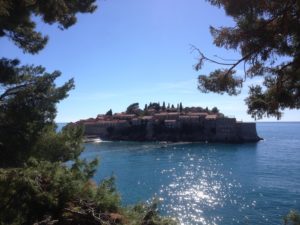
18	25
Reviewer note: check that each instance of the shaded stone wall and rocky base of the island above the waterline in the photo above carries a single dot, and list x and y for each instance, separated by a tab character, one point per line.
212	130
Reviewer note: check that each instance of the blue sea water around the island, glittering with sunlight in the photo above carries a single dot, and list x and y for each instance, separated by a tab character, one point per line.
210	183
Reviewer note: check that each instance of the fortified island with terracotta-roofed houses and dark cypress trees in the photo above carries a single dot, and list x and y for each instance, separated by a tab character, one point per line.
169	123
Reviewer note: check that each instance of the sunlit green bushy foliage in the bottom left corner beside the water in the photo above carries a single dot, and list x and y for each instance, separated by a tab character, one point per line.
50	192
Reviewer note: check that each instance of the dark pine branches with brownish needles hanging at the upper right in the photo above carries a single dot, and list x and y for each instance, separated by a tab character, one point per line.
268	38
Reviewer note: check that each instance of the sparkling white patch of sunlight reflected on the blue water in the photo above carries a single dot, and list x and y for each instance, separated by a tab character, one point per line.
197	188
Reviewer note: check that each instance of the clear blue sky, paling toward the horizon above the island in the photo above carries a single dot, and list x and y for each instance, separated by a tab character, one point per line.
136	51
